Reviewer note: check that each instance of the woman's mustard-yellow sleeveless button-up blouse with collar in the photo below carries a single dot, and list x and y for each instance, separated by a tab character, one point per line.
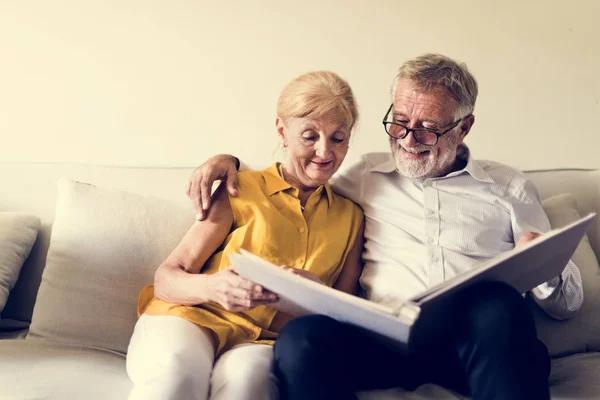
269	221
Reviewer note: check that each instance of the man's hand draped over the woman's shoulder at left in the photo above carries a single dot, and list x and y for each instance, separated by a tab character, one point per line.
220	167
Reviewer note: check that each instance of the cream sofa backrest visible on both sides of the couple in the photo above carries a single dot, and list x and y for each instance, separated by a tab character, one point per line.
31	188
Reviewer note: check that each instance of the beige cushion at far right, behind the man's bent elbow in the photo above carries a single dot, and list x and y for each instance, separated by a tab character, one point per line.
582	332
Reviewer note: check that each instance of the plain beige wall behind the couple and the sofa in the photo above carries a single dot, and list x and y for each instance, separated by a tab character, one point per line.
173	82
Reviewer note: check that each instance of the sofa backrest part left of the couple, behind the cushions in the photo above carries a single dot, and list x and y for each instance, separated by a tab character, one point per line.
32	188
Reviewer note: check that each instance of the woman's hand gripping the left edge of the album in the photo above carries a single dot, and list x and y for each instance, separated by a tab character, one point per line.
236	294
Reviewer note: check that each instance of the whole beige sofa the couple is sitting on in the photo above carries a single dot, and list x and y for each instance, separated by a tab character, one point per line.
106	243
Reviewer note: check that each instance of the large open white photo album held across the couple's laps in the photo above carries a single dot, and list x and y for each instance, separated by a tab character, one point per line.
416	319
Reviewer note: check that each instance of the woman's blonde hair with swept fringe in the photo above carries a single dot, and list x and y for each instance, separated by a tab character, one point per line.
318	94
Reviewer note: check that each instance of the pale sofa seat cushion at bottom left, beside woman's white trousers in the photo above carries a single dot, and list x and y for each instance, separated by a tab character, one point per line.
34	369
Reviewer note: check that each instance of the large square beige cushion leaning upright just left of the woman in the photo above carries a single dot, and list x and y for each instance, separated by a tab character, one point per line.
105	246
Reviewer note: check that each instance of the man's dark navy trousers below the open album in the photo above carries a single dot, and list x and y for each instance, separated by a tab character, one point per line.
492	352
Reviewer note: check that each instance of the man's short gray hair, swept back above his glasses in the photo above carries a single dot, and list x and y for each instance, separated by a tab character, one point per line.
430	71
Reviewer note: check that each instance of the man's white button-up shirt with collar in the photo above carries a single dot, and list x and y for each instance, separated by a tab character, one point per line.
421	233
